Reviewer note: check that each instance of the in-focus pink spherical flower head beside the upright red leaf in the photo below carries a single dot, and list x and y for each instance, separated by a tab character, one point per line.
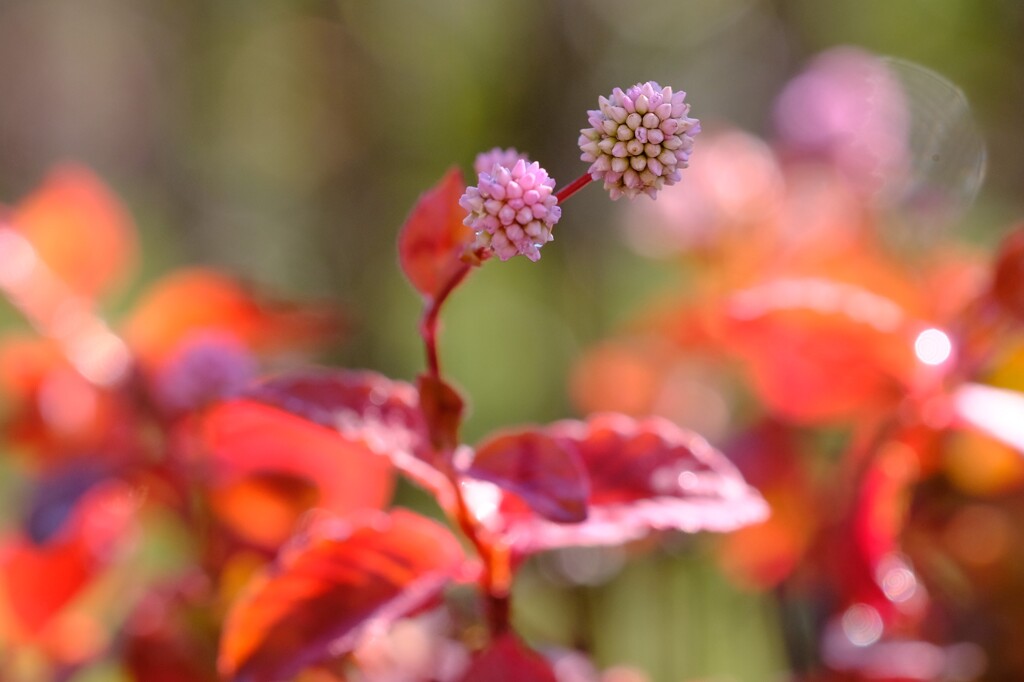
513	210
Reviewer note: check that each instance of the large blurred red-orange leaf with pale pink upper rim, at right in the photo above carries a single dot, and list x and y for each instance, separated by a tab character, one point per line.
820	350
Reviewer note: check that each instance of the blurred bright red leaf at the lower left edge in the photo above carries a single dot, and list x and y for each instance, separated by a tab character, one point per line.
41	580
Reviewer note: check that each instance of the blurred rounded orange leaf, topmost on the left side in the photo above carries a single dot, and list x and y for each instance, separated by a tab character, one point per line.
79	229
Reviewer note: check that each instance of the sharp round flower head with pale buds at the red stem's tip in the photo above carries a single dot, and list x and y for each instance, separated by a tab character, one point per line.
639	140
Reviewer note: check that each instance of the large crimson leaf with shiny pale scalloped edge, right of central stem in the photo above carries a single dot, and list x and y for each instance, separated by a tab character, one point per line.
644	476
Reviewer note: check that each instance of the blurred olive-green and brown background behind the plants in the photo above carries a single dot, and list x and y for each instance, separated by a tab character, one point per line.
286	141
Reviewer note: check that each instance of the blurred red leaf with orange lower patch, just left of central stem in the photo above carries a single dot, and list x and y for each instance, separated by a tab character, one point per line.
255	449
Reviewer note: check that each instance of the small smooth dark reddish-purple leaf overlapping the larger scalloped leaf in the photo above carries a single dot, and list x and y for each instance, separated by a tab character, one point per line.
541	471
